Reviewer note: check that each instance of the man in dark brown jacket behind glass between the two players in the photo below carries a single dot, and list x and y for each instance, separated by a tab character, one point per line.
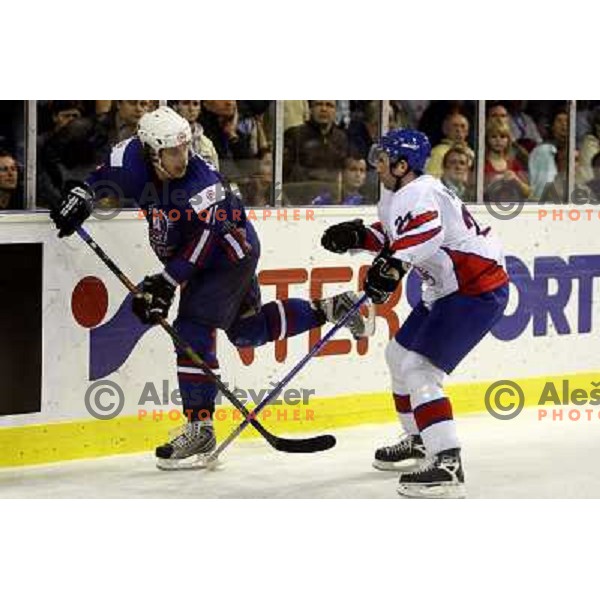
314	154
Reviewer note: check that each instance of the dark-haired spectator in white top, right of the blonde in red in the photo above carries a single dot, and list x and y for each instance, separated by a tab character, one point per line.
543	163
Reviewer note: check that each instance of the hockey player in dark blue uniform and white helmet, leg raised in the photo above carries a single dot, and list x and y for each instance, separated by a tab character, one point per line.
210	251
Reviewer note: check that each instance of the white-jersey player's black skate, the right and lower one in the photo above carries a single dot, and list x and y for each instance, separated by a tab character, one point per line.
440	477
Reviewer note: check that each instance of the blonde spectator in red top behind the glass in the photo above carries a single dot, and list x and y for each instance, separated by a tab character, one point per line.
505	176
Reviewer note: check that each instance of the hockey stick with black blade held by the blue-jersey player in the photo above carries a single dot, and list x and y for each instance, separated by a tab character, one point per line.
314	444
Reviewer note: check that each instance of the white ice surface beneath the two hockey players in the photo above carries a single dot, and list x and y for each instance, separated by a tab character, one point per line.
521	458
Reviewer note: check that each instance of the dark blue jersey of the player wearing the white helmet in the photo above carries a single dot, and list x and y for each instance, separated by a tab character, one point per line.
194	222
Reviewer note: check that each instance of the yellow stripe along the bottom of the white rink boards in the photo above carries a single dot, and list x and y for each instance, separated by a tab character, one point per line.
51	442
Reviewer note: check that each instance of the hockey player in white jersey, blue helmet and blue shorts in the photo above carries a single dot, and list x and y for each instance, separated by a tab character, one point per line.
425	226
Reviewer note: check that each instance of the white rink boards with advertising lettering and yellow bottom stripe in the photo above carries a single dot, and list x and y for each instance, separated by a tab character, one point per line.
550	333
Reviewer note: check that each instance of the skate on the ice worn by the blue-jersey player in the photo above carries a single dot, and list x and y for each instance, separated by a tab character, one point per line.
189	449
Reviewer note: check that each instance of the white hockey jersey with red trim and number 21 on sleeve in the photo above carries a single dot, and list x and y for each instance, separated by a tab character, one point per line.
426	225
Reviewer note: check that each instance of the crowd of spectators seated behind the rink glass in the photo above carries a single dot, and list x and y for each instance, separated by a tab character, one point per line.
325	146
